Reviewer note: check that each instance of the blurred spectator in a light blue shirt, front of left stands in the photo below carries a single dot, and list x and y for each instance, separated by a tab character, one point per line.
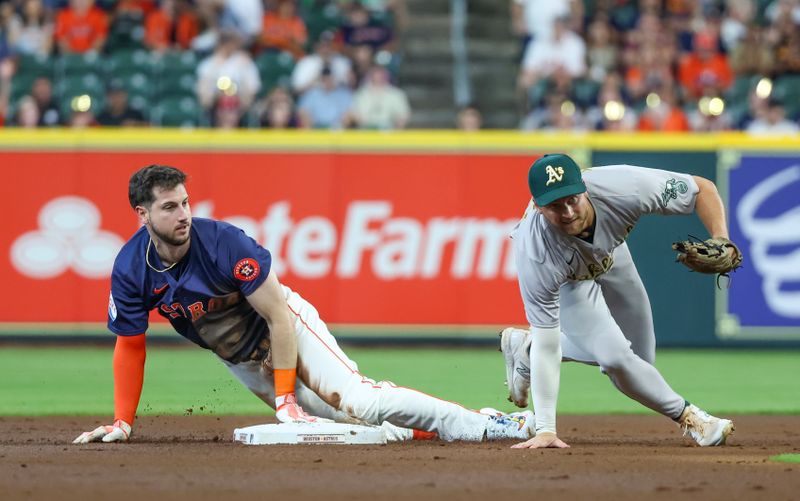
325	106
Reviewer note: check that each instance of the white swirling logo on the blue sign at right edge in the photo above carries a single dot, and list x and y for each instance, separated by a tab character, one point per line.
774	242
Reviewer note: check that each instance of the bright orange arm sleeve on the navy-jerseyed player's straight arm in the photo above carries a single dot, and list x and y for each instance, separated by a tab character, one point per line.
129	355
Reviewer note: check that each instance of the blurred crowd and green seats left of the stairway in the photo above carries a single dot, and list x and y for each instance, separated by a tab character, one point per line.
207	63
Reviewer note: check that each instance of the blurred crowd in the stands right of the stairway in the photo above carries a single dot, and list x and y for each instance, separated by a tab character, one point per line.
659	65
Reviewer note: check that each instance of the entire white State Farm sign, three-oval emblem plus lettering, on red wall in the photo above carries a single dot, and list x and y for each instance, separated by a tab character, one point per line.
370	241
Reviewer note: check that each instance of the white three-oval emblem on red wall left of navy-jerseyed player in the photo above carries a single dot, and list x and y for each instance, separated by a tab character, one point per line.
68	237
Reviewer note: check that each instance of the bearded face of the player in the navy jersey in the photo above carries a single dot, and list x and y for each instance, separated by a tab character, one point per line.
170	217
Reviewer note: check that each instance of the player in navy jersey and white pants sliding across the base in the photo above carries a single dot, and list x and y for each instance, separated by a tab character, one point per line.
216	287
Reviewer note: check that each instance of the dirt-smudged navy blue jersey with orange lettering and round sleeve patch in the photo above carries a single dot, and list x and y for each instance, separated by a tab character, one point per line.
203	297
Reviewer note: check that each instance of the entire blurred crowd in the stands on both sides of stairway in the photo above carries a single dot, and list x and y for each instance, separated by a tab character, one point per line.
648	65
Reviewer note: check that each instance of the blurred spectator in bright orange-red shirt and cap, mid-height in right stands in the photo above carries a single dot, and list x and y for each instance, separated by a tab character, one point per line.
704	67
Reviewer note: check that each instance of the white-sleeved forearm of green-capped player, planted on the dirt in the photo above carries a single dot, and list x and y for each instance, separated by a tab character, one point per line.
545	376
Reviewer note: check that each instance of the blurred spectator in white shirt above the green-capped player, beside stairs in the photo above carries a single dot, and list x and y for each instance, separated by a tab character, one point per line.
564	49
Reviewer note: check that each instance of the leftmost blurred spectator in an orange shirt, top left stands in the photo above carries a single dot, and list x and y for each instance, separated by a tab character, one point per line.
172	26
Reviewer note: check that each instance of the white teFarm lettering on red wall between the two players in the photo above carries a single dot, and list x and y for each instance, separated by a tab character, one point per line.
372	240
